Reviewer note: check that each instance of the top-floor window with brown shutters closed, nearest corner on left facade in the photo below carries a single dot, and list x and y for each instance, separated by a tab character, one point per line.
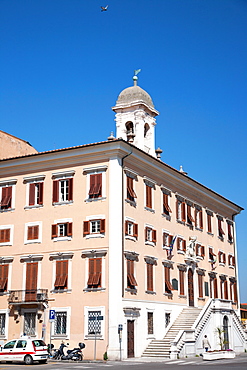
96	183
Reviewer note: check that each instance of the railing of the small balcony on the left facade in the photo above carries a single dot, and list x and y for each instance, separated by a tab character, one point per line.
28	296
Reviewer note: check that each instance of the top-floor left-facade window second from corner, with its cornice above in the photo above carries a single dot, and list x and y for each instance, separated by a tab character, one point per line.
62	187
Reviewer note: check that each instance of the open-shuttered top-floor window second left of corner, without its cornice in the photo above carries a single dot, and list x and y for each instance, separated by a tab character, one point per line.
62	190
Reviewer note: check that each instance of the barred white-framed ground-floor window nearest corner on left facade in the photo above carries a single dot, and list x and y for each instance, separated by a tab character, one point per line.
94	325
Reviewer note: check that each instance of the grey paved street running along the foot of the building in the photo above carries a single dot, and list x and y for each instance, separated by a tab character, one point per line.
239	363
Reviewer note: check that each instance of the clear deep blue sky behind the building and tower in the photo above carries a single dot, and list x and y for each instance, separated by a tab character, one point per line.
64	62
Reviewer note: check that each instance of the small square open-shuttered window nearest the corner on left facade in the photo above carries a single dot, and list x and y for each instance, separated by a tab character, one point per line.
94	226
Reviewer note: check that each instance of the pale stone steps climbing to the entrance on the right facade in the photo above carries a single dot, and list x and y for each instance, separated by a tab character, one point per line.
161	348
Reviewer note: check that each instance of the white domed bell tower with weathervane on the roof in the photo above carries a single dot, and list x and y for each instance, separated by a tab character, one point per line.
135	117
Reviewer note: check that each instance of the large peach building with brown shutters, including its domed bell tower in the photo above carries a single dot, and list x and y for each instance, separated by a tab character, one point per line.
121	245
